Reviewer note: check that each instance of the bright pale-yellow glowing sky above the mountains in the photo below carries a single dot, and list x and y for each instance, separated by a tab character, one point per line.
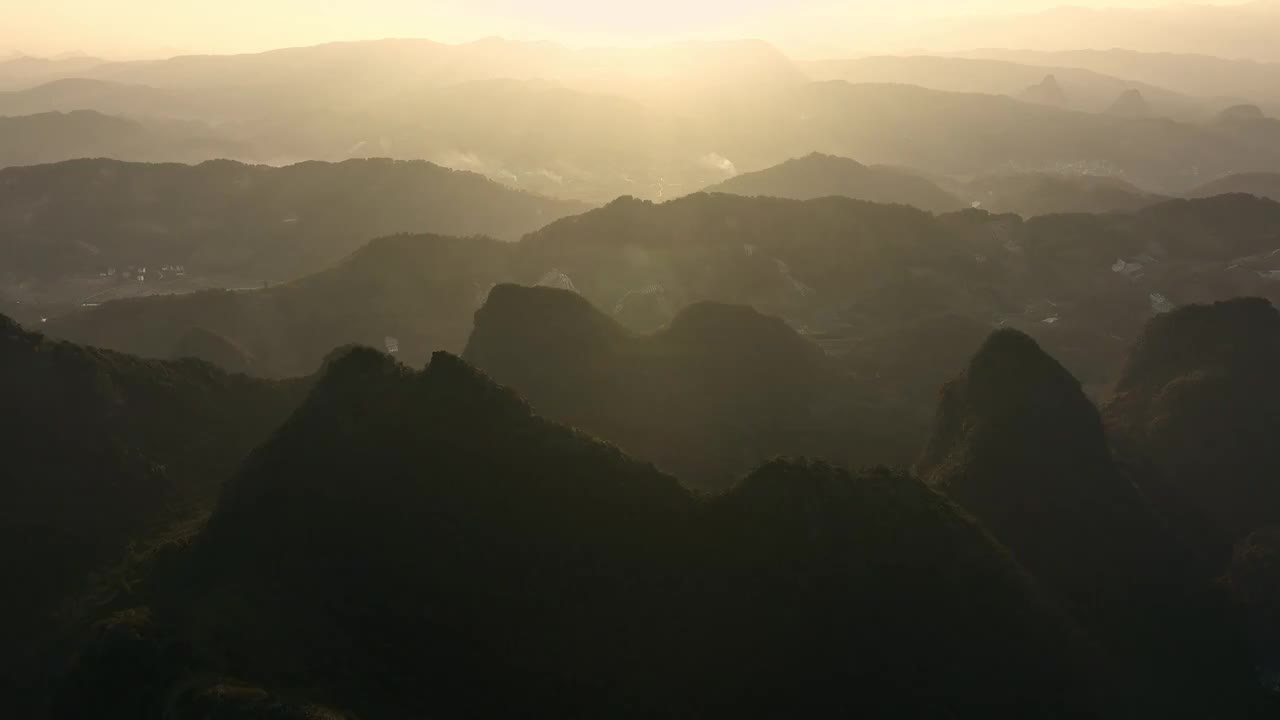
153	28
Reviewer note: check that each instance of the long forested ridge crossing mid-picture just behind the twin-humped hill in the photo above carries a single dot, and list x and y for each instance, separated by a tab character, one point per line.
847	274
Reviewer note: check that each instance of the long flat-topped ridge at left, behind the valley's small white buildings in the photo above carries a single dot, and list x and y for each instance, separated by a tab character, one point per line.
244	224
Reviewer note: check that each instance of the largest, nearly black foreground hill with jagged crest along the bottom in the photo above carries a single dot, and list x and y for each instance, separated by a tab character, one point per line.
420	544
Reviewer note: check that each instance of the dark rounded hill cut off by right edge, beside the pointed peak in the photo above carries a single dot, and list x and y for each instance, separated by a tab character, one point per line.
1200	403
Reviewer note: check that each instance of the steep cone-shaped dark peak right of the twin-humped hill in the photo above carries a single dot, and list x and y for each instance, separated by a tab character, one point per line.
1020	445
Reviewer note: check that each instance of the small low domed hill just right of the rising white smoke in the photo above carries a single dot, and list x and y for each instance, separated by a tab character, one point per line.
824	176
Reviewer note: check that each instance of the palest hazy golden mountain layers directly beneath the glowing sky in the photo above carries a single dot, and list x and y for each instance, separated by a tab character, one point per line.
652	124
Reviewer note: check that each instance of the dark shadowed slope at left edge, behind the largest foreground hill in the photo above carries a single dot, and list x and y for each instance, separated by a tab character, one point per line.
102	450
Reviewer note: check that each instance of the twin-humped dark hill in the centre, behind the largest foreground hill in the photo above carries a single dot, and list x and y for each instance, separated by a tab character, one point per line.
708	398
